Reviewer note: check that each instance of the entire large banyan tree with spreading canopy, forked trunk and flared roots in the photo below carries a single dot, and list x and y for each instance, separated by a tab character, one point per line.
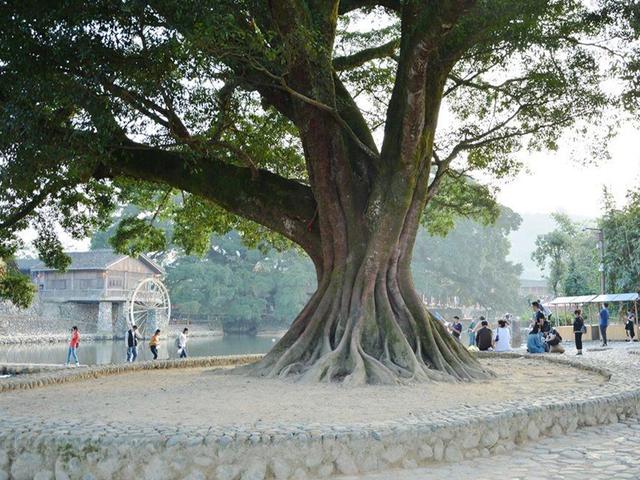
317	120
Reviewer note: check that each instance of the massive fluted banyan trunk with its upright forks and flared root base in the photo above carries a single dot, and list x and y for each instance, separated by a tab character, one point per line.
366	323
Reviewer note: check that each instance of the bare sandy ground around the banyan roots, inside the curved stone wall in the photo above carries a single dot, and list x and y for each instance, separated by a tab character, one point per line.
204	397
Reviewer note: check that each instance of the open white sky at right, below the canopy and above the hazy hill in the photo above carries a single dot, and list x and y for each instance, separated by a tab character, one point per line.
555	182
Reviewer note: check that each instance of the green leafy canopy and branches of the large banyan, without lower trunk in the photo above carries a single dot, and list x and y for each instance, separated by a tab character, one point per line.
104	103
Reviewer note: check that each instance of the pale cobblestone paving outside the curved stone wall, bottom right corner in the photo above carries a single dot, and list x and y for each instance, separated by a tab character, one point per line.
596	453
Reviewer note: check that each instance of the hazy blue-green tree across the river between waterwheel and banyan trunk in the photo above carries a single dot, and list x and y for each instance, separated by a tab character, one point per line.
242	285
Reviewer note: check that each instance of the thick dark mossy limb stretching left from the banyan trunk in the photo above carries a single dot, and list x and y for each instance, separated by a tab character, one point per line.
283	205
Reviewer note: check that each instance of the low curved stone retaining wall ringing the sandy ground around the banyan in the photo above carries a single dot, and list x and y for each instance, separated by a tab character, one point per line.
63	450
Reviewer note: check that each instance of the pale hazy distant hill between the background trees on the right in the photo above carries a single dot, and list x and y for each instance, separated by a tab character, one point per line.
523	241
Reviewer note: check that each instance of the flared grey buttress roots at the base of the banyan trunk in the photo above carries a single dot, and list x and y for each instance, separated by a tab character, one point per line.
387	338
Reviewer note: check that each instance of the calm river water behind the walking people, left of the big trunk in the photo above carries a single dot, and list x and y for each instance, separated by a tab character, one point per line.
115	351
